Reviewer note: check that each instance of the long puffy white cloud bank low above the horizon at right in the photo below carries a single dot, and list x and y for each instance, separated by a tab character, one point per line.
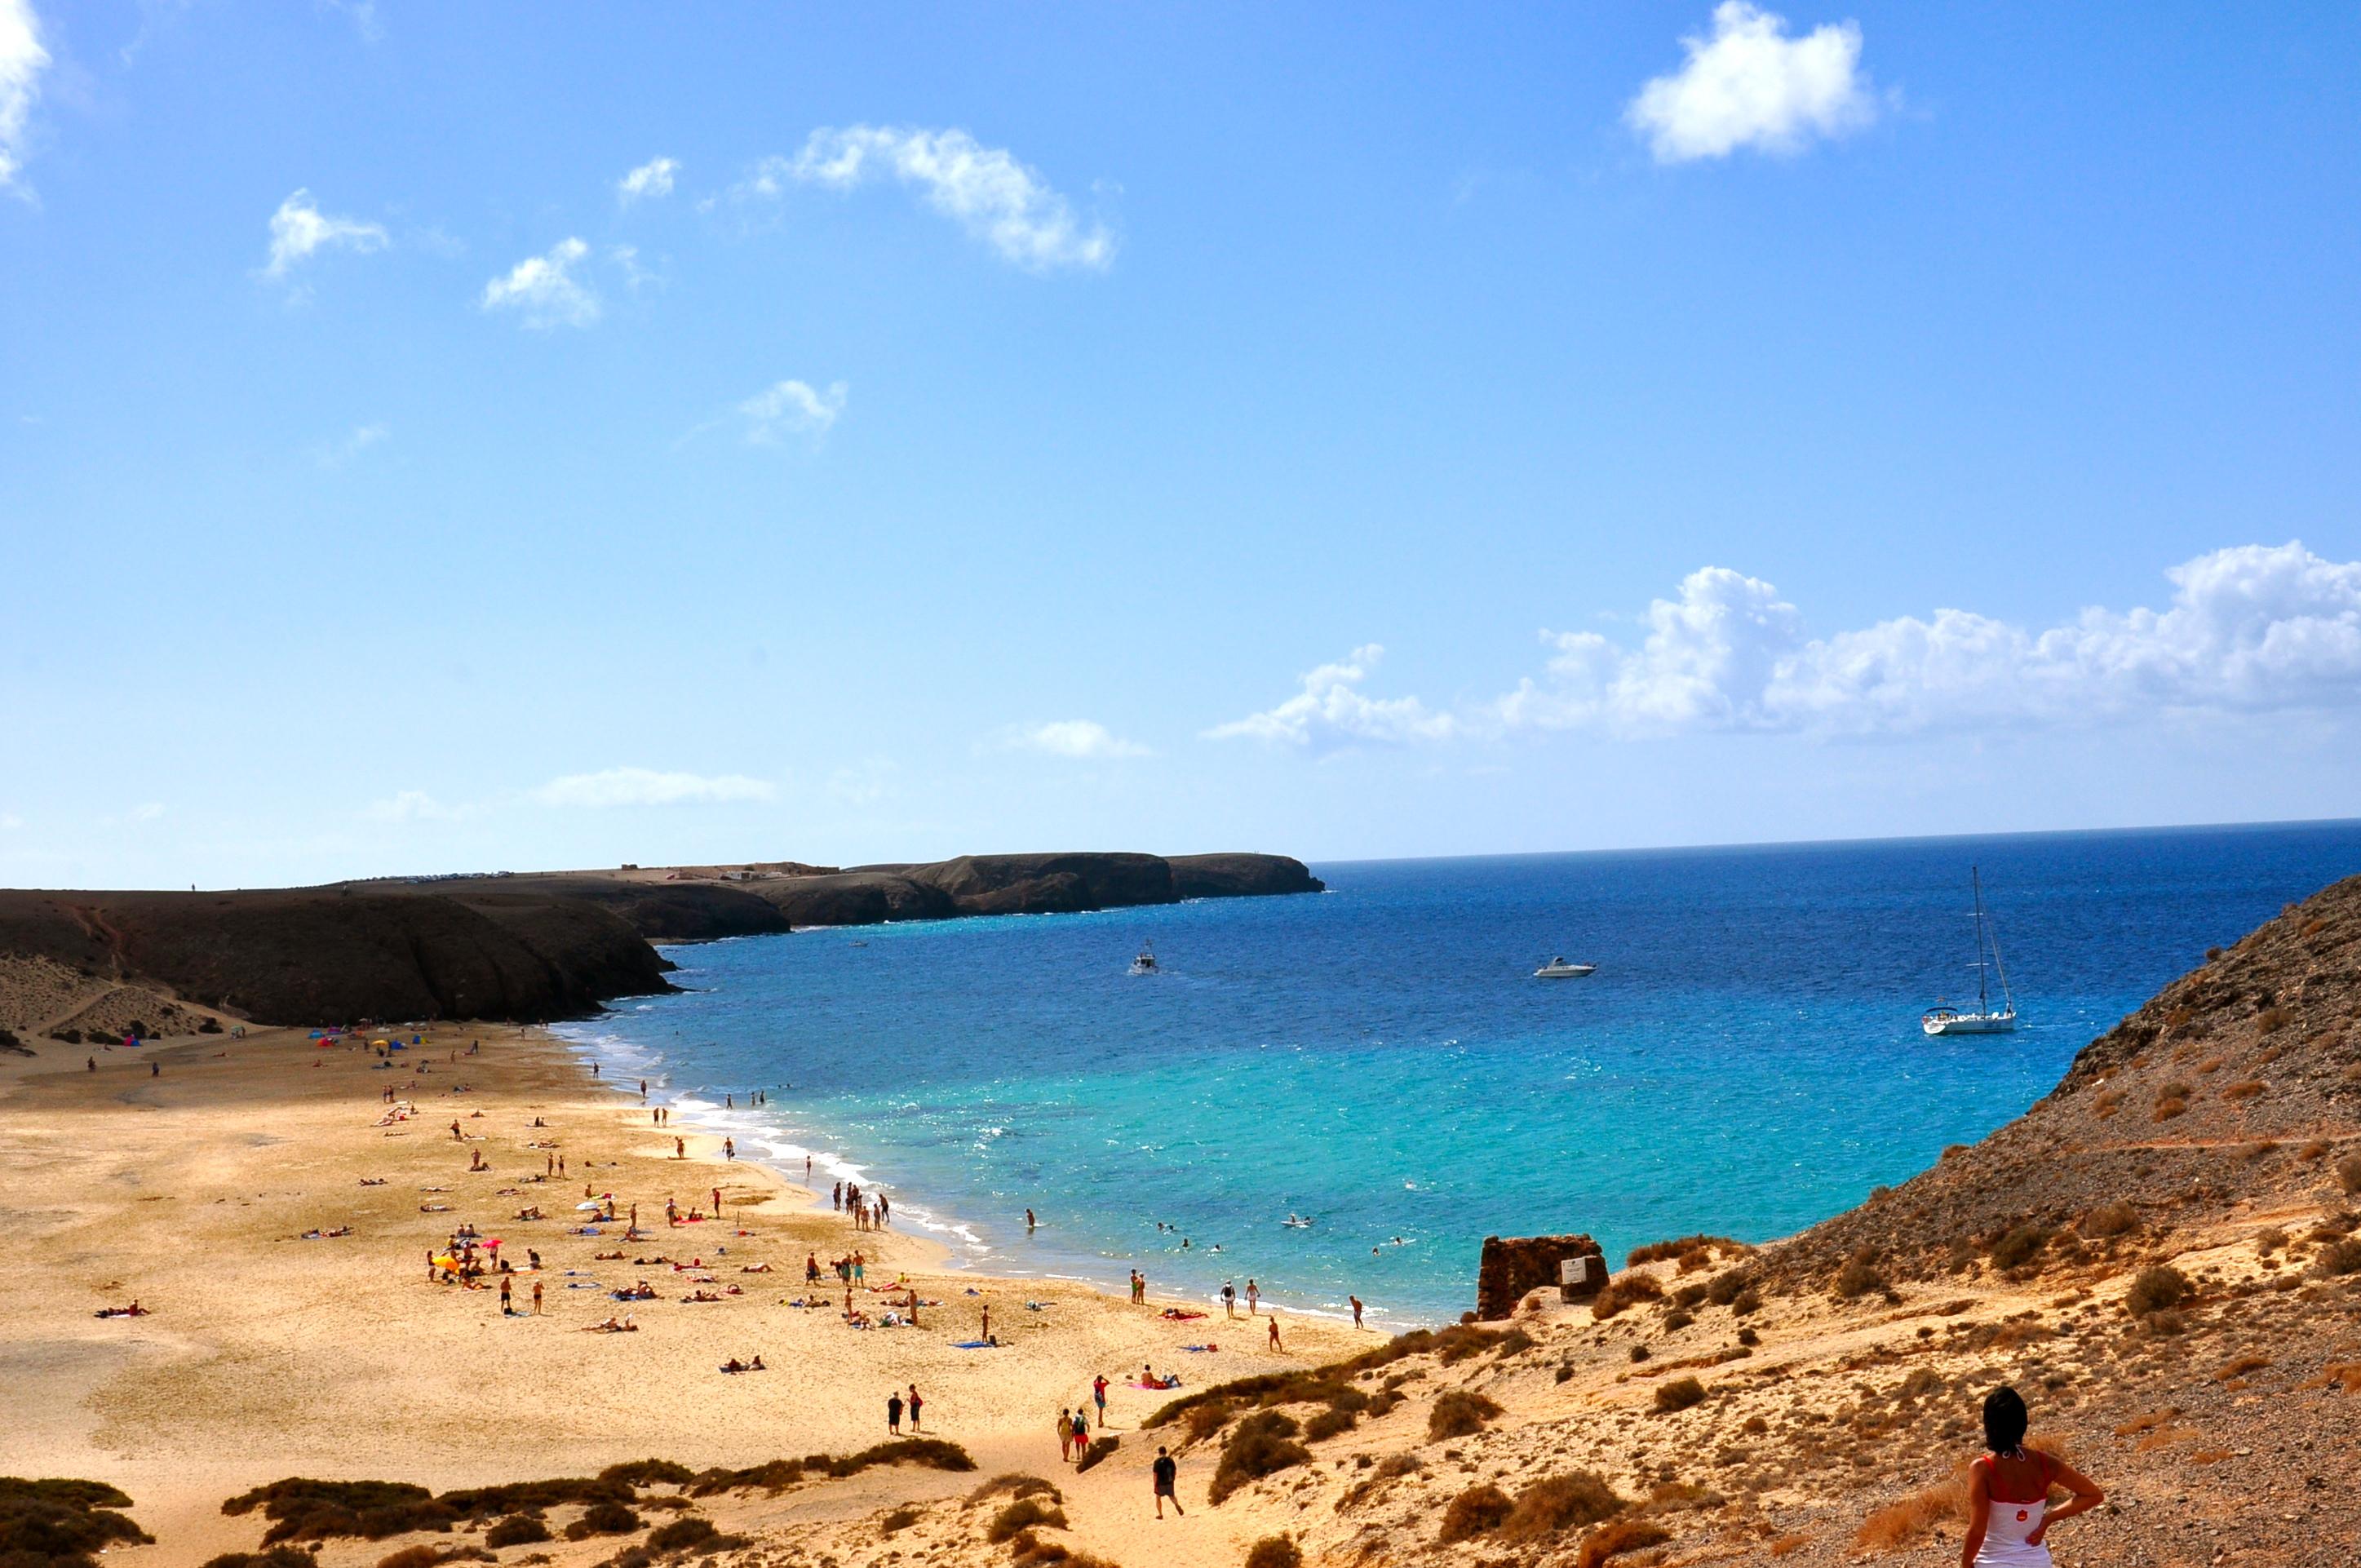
2249	629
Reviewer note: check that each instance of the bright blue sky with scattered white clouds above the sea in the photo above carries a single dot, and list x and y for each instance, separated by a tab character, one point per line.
1016	429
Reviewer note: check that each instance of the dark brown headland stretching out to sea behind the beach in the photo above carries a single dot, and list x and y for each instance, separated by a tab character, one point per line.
518	948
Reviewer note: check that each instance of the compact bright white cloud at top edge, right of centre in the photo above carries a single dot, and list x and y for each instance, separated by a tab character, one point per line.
1753	86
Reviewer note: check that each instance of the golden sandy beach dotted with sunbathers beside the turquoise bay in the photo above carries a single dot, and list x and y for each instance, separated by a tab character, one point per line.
192	1189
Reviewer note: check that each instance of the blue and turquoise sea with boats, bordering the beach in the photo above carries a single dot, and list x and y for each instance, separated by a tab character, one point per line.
1746	1061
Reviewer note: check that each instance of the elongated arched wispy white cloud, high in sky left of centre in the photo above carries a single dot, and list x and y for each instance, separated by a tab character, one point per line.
981	188
